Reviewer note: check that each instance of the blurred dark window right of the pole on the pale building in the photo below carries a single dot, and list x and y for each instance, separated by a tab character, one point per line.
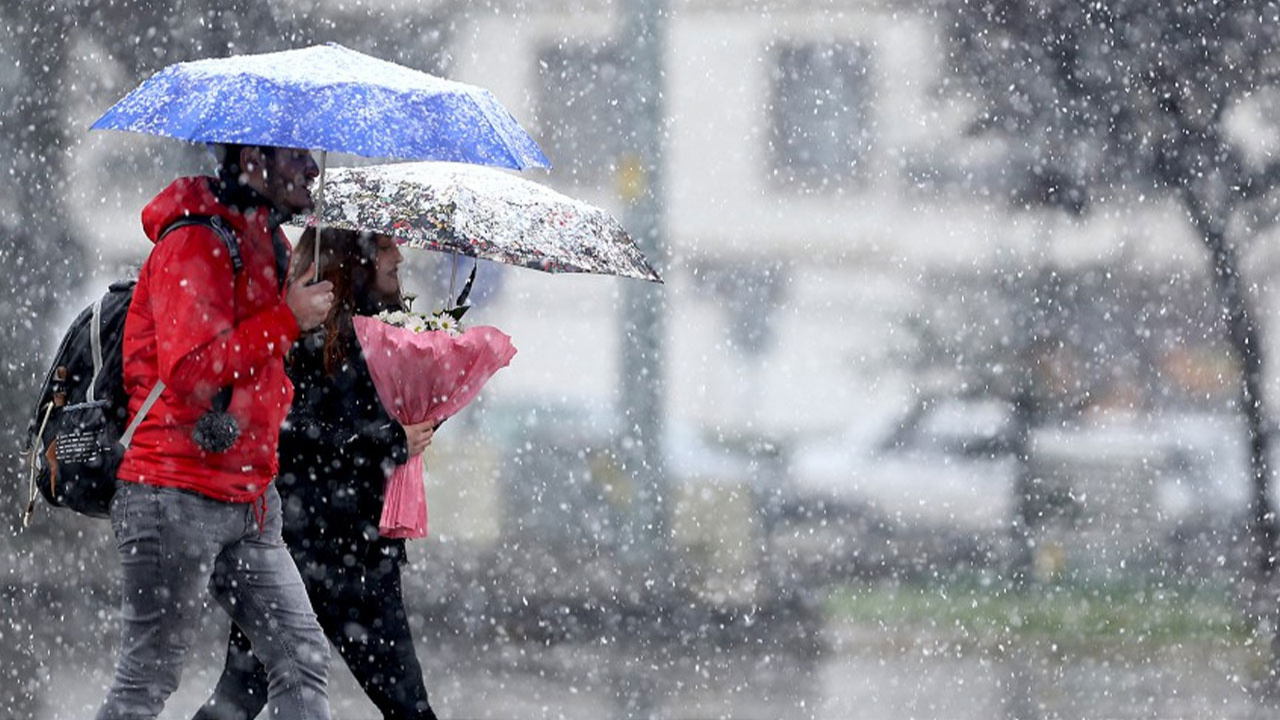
821	115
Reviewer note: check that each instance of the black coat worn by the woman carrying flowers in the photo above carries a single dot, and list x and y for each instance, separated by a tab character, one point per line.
337	449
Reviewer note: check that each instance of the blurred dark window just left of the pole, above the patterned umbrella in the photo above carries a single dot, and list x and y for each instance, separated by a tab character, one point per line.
583	126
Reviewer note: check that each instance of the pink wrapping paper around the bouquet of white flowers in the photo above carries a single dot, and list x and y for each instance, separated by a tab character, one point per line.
422	377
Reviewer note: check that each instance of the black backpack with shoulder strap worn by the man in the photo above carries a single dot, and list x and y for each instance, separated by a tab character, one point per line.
79	432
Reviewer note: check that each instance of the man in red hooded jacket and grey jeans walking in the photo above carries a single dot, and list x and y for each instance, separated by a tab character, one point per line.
188	516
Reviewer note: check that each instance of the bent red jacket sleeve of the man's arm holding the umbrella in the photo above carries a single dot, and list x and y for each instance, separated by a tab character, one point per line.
200	345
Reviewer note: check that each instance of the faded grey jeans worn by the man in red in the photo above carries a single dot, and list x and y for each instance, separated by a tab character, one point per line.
173	545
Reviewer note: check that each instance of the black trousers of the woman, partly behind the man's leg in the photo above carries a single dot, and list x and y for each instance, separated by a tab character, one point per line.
363	613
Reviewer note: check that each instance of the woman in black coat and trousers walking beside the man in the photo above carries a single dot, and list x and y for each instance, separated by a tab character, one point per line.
337	450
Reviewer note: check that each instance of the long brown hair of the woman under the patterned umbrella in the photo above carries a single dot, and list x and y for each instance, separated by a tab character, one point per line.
349	259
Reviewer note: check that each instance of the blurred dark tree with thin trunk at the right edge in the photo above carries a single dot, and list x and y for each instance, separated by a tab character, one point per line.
1119	99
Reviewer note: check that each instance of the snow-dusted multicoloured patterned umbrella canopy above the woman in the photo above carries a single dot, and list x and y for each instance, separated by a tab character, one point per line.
482	213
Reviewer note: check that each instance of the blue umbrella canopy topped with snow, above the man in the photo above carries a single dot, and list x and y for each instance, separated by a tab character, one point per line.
327	98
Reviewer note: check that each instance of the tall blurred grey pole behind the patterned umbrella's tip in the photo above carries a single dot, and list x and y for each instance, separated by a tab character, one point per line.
641	382
